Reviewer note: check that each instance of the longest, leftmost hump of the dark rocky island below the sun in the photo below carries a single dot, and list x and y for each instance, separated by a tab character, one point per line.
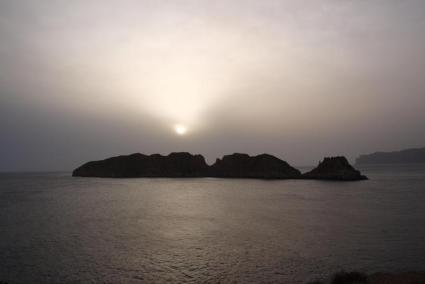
139	165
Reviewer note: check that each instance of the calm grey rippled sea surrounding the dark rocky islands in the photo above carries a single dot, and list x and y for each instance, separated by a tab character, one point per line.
59	229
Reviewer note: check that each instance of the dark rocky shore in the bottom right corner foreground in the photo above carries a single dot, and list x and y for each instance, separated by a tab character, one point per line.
376	278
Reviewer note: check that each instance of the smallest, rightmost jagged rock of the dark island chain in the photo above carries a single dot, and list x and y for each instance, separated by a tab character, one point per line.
334	168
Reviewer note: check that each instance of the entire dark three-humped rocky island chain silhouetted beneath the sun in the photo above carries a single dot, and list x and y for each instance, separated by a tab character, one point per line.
237	165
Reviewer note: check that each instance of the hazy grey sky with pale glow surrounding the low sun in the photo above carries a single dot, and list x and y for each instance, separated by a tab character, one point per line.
84	80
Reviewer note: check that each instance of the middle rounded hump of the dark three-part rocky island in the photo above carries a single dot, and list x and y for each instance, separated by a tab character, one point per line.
263	166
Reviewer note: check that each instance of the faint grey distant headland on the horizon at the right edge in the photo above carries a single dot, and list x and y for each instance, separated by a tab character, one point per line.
407	156
